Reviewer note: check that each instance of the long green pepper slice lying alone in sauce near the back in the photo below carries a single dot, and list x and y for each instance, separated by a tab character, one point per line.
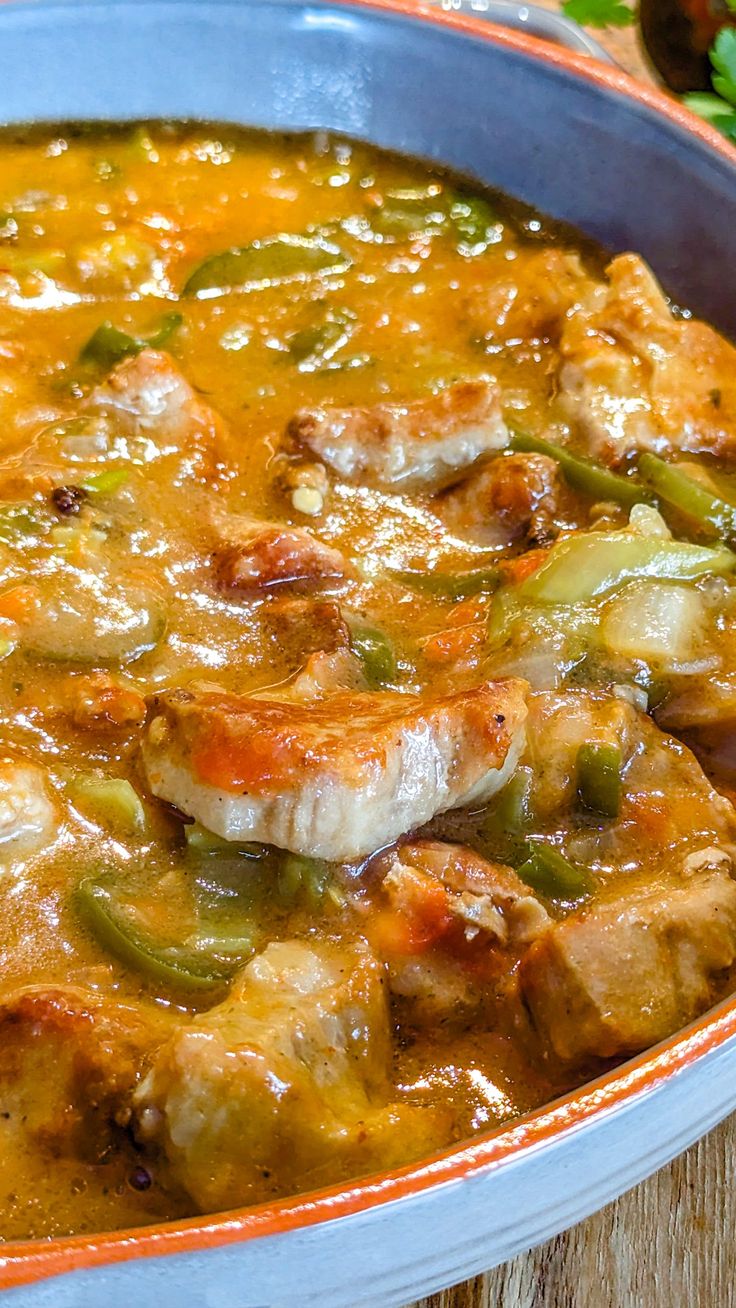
266	264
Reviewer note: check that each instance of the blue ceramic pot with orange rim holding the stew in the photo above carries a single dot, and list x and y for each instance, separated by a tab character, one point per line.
586	145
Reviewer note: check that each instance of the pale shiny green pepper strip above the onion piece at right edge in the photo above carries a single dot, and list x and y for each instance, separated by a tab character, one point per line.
590	564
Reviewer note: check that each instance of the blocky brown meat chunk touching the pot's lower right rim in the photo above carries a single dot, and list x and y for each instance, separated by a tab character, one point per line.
622	976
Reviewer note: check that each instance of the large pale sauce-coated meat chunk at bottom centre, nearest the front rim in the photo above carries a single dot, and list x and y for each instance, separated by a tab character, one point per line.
286	1085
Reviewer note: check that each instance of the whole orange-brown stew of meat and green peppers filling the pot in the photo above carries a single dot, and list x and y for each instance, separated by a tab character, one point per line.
368	664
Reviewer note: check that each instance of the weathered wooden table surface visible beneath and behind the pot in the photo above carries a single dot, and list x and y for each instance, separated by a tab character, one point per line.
670	1243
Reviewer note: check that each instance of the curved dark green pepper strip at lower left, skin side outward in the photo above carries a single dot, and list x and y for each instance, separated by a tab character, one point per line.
209	967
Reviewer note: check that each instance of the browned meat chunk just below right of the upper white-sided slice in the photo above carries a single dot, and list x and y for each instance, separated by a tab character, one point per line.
513	498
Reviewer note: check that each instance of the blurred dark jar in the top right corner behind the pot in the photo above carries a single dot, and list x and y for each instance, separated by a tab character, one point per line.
678	35
